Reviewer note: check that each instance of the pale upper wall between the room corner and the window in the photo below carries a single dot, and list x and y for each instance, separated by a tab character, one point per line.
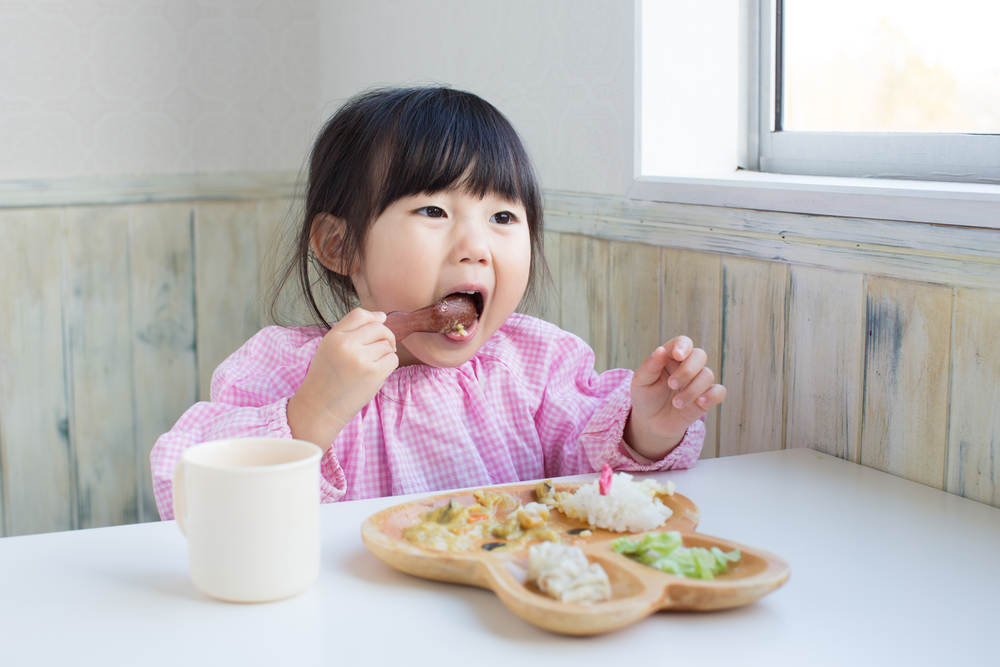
562	70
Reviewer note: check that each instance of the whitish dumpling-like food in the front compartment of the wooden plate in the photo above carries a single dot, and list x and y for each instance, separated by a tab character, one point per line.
564	573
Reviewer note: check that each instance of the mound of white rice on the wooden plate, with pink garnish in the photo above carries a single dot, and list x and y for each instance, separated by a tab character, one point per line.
629	506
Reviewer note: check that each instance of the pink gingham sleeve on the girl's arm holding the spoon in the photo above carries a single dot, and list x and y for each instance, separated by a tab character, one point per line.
250	392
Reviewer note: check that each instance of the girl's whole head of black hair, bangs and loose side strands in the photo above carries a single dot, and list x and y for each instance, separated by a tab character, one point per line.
389	143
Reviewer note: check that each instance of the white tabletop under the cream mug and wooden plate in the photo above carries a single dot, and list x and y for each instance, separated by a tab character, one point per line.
884	572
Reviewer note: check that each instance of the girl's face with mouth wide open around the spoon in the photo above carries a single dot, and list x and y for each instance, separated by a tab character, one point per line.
425	247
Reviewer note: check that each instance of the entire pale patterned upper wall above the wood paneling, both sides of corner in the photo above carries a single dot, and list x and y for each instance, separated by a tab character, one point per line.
185	86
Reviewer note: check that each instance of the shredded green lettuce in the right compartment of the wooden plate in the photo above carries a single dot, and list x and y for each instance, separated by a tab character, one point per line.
666	552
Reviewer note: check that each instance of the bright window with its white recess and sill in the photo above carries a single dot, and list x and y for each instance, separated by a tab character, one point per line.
707	131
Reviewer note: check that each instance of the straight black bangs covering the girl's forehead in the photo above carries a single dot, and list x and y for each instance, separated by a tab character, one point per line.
442	140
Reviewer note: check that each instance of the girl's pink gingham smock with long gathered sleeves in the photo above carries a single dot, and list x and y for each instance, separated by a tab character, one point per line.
527	406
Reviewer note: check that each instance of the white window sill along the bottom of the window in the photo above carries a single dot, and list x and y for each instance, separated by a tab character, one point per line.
934	202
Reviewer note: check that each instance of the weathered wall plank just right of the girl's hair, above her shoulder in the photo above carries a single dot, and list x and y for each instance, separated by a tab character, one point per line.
584	264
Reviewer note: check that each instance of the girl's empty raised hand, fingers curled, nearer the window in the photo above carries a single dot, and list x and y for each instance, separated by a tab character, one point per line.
670	390
